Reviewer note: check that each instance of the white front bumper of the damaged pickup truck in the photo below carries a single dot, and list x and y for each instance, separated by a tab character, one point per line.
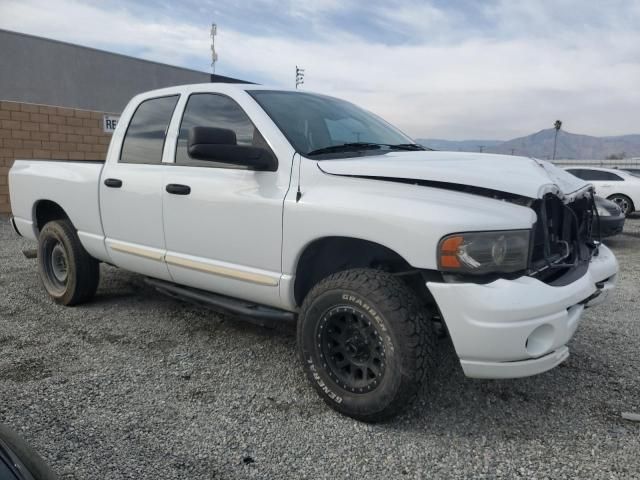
517	328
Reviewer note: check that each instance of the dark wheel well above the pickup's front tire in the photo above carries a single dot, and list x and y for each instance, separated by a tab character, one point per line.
329	255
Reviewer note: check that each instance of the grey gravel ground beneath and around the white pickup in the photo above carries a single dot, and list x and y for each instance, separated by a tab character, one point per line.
136	385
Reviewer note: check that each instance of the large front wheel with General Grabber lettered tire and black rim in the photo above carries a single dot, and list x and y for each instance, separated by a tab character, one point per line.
366	343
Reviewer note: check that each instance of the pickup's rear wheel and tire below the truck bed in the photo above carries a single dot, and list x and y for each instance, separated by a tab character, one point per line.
68	273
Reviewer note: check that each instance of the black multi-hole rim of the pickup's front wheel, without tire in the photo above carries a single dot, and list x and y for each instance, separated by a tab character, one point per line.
352	349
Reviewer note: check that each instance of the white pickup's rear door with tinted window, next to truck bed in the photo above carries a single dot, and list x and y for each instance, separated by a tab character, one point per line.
131	191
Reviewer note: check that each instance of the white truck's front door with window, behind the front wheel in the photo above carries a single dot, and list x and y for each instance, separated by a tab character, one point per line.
223	223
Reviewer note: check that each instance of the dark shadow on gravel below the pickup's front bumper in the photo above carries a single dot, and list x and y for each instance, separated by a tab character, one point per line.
521	409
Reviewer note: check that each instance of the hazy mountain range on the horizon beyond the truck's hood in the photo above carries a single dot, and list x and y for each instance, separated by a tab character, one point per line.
540	145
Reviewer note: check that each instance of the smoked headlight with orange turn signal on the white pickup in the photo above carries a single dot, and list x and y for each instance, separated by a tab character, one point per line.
484	252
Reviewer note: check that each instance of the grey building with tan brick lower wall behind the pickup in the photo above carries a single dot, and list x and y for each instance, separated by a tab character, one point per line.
60	101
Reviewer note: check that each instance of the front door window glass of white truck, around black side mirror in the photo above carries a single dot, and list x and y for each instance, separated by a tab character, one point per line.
212	110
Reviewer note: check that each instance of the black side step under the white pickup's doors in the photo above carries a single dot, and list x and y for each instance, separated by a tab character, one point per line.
222	303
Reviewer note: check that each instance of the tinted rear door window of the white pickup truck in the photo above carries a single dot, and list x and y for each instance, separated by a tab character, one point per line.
145	135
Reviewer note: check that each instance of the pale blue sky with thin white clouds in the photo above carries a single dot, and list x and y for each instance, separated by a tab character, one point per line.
453	69
